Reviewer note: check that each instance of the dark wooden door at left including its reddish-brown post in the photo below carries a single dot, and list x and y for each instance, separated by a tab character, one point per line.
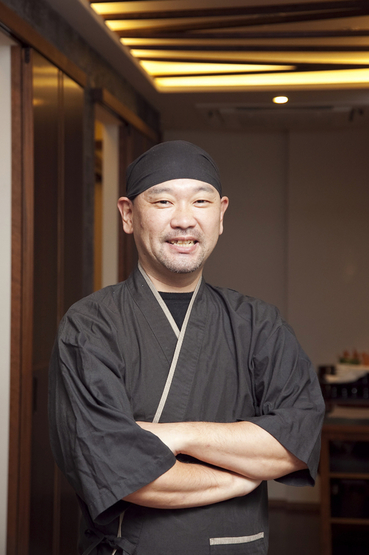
47	277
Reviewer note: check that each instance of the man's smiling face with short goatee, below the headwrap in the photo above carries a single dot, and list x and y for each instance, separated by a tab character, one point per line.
176	225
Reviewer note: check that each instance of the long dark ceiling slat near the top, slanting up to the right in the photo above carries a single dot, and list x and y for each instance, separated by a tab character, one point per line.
149	31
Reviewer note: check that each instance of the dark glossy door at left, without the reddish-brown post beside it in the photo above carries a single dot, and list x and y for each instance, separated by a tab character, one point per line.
58	282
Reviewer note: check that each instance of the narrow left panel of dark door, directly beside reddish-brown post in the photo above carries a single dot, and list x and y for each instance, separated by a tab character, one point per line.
46	131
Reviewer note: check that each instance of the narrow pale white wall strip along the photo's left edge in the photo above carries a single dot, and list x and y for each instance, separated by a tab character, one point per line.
5	280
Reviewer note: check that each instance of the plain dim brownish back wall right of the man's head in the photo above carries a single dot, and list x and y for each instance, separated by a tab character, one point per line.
297	235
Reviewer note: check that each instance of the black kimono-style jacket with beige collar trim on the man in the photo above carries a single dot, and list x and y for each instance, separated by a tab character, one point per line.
239	361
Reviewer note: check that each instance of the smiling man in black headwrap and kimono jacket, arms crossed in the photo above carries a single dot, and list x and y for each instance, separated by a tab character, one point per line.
171	401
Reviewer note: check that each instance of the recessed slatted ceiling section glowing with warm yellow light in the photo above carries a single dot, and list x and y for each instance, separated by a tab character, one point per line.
232	44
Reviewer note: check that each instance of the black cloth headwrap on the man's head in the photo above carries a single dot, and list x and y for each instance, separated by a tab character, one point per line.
171	160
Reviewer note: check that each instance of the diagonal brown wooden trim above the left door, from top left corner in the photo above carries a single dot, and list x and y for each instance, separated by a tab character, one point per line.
22	31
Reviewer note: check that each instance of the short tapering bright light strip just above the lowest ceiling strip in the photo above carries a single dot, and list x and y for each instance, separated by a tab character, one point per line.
182	68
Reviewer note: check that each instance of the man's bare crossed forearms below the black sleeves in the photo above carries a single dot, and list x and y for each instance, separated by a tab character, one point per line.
243	453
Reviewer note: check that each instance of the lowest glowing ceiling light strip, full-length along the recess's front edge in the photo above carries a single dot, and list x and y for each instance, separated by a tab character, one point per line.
308	78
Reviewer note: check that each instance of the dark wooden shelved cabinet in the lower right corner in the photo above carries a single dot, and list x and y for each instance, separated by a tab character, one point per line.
344	470
